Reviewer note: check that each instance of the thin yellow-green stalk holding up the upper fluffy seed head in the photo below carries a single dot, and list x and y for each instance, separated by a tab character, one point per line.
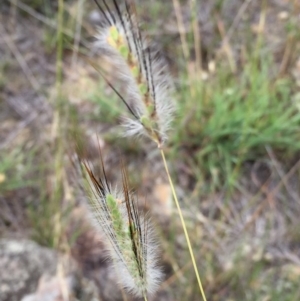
183	225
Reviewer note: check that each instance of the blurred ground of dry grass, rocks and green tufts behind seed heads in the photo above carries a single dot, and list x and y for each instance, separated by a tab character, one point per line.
233	149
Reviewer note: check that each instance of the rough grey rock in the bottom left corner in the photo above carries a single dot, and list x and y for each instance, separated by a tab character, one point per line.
33	274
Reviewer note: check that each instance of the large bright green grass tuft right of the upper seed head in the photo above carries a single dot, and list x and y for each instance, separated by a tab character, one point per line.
231	119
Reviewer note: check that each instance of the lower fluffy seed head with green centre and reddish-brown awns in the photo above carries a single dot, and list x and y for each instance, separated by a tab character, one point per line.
127	230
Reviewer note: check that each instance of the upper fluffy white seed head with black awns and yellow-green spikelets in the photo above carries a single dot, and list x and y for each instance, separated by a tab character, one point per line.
148	86
